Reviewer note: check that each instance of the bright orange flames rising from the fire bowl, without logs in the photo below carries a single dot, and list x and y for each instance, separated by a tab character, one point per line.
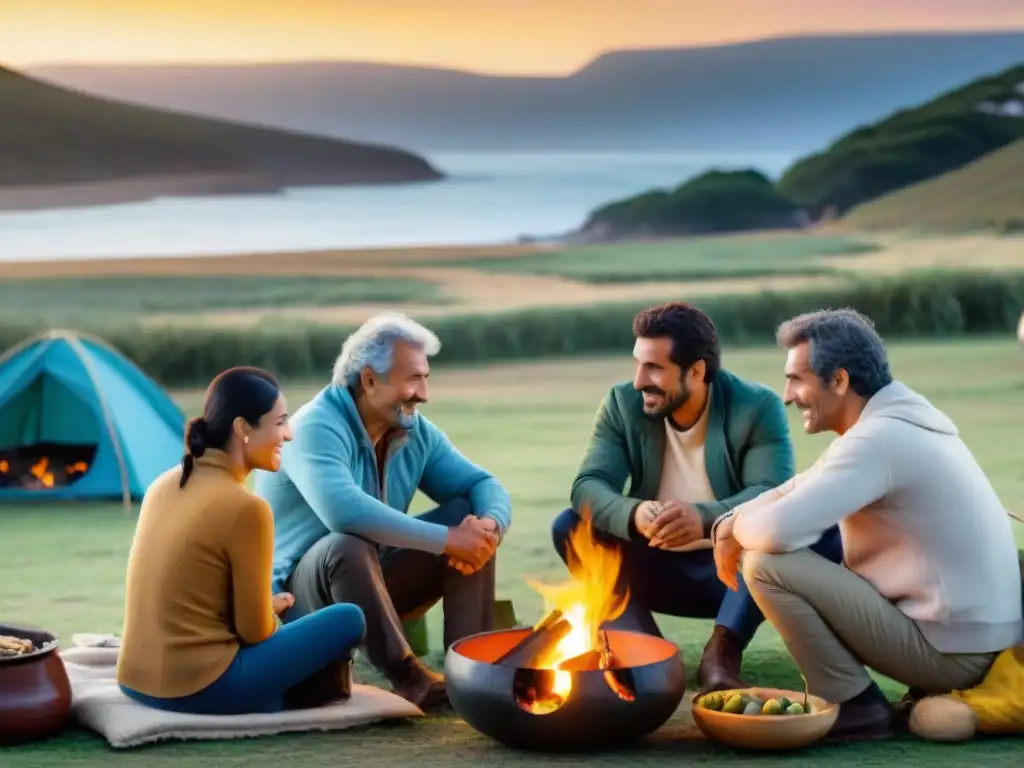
586	602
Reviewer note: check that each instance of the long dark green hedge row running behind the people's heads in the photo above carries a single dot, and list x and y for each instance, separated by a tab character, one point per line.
933	305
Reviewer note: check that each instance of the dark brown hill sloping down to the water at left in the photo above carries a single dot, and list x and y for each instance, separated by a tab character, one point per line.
52	137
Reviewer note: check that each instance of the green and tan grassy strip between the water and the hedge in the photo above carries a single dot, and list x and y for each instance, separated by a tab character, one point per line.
347	287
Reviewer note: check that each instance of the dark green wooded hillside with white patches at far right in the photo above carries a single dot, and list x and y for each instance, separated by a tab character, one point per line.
913	146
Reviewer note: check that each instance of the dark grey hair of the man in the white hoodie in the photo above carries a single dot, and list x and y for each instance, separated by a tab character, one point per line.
841	339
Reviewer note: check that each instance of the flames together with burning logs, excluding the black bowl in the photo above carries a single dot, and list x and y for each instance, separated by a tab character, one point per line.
570	638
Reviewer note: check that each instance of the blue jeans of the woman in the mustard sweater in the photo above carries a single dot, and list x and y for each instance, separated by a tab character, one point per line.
261	676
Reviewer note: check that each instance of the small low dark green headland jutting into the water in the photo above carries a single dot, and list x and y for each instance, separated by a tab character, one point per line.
712	203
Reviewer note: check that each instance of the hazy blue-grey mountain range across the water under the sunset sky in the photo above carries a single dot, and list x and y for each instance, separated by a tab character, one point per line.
785	95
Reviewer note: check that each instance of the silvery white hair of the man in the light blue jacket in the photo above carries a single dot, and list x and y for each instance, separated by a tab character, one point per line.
373	345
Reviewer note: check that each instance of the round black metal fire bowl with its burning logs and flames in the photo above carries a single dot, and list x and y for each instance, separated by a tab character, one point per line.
567	684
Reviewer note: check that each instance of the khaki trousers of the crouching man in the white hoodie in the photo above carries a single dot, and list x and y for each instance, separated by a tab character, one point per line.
835	624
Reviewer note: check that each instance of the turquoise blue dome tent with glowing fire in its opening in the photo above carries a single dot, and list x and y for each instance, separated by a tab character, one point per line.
79	421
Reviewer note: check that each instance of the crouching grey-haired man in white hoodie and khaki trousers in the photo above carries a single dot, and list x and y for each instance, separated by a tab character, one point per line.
929	592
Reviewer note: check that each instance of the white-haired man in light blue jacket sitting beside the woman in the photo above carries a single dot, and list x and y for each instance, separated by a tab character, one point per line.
360	452
